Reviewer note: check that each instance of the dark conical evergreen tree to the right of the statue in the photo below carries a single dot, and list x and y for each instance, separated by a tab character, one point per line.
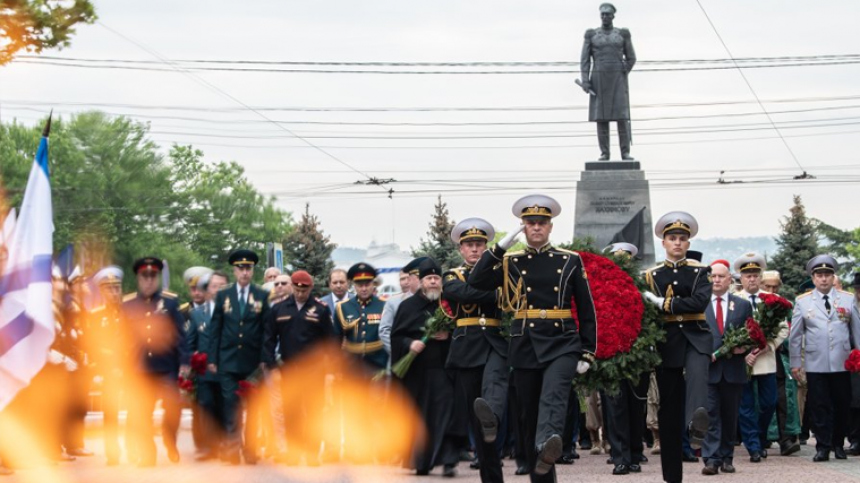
796	245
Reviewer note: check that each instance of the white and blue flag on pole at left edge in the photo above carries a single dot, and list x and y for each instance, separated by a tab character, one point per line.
26	314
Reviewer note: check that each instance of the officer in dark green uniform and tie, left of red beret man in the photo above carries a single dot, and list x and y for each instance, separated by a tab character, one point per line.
237	327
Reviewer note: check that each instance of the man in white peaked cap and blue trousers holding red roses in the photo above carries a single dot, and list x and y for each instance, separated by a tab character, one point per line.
756	412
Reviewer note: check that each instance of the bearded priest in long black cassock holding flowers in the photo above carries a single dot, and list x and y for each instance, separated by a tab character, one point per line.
427	381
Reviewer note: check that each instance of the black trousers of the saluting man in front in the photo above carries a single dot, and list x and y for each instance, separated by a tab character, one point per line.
542	396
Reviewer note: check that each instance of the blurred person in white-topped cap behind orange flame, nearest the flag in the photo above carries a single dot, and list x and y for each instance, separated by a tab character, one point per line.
105	346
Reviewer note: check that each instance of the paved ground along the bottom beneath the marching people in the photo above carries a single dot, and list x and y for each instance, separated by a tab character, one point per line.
796	469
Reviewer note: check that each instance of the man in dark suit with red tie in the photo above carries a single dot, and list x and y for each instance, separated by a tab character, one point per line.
727	375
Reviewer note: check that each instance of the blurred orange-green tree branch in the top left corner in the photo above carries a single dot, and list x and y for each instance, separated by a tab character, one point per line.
35	25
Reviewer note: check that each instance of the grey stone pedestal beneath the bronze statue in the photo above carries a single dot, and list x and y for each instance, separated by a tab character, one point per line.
609	195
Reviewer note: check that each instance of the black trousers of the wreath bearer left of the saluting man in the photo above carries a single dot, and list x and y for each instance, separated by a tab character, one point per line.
490	382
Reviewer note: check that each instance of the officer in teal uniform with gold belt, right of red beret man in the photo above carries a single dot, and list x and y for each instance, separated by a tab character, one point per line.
357	319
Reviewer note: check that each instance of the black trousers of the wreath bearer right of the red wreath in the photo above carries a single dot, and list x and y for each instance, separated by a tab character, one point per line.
680	395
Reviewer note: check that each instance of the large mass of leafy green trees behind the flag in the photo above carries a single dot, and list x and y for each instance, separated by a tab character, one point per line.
117	198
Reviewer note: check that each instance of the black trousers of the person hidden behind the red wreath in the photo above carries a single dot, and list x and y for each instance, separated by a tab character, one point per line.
624	414
